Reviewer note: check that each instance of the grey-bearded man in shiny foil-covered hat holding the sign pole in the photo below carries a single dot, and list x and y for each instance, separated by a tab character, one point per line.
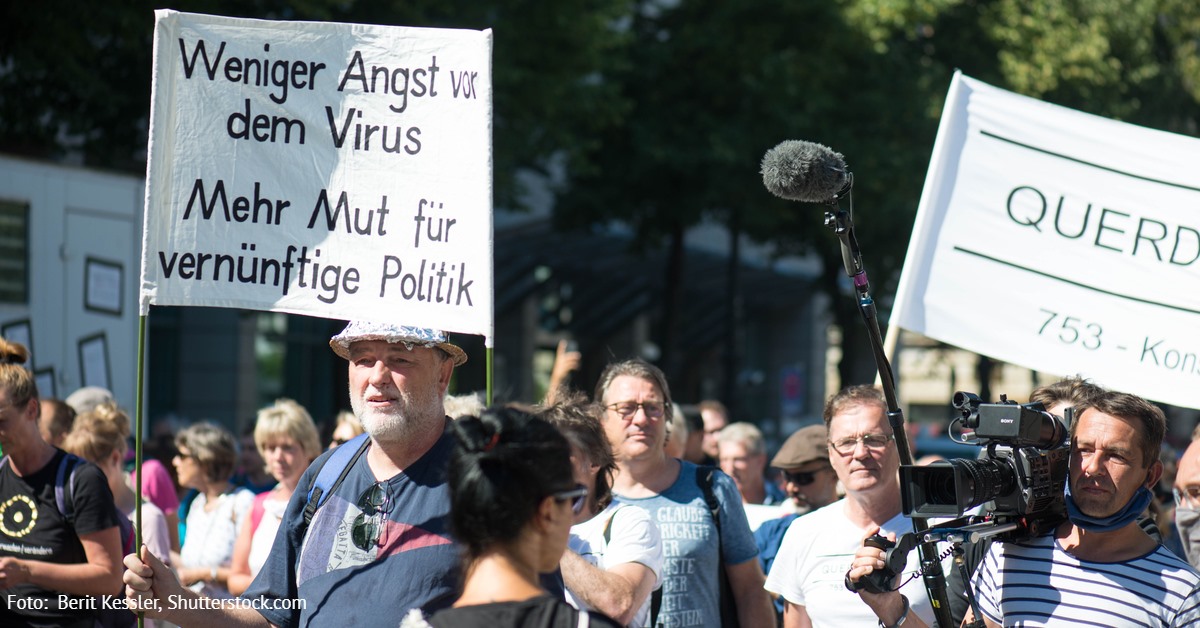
379	545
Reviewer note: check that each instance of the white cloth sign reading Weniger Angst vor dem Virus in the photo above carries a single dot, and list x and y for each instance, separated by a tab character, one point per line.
341	171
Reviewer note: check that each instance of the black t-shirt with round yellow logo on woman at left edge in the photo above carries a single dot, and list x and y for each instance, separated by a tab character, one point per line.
32	528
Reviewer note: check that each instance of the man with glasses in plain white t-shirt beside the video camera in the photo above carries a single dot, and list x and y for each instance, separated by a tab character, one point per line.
819	548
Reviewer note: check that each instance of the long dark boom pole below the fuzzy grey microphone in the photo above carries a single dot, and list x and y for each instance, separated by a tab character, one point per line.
843	225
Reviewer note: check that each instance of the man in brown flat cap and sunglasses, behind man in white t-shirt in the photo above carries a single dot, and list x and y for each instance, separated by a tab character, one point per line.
811	483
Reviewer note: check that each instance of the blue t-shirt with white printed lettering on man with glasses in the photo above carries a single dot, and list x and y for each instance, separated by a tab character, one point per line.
691	585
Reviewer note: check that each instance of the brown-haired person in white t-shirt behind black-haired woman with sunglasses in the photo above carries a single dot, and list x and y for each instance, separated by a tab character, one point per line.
615	557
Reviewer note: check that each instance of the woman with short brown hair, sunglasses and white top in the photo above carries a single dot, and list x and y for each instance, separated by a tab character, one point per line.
207	458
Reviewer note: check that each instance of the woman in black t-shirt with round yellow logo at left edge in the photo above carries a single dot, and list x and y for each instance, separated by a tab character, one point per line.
61	546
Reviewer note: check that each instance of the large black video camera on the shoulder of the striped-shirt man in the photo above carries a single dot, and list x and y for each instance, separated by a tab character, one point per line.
1021	476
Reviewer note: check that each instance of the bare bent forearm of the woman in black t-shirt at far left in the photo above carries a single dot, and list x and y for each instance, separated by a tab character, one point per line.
101	576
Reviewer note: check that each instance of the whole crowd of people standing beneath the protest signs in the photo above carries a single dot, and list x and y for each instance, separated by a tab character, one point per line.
611	510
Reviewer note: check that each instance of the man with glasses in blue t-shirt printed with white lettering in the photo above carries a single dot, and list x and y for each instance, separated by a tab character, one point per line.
695	546
